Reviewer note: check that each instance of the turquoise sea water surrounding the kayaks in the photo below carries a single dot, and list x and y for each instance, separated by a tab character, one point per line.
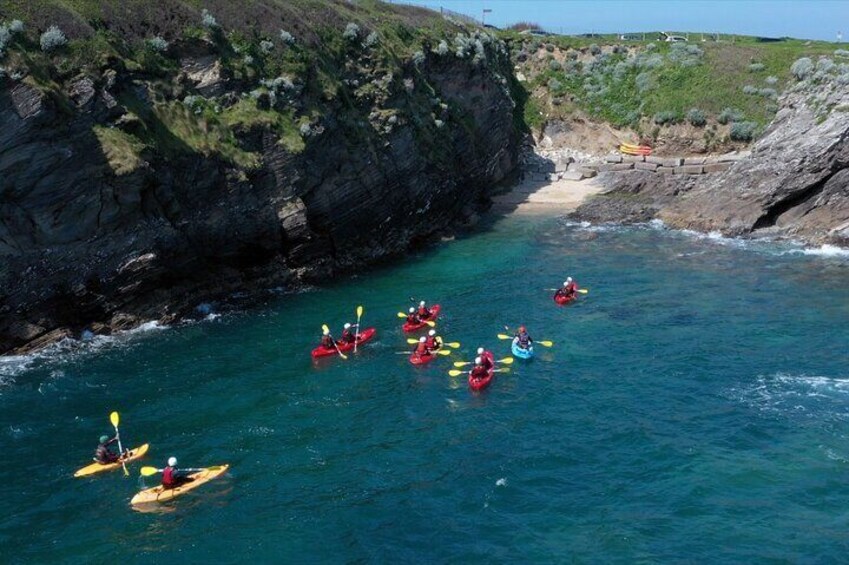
695	408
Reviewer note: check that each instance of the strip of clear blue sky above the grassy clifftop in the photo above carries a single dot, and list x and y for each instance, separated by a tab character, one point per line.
804	19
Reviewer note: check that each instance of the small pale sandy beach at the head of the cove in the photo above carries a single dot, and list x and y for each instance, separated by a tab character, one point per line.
534	196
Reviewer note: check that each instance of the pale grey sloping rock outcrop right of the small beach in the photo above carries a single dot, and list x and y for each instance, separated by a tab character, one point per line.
794	184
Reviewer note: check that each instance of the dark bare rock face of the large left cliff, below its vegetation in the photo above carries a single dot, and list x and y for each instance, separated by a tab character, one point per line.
96	238
